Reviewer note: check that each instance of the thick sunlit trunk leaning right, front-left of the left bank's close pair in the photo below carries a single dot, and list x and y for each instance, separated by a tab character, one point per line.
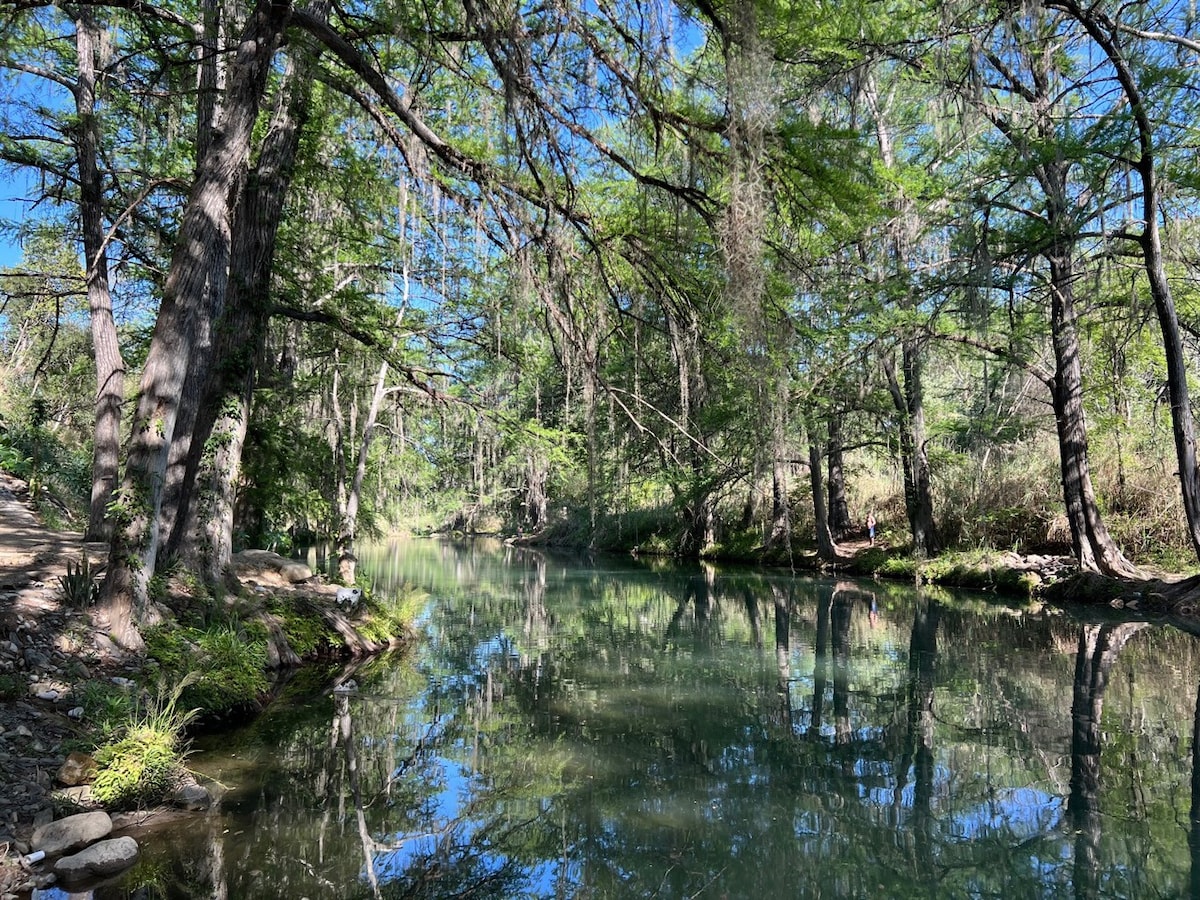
203	237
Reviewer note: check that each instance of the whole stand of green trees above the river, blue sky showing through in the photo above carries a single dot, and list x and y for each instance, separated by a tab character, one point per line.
711	279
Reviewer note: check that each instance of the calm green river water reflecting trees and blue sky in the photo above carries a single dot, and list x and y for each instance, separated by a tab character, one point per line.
587	729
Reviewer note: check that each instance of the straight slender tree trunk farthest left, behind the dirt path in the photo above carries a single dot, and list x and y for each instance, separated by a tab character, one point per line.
110	365
